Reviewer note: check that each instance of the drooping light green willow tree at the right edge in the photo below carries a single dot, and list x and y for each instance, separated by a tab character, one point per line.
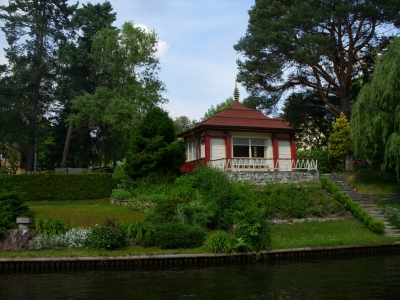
376	115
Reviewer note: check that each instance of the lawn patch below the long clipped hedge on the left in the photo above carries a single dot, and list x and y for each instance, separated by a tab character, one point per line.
84	213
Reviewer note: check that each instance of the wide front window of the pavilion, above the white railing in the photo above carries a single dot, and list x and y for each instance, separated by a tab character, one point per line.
243	147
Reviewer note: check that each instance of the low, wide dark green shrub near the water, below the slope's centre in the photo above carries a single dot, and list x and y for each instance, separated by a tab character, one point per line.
176	235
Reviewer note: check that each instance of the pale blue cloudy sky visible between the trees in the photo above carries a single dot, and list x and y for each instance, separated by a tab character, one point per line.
195	48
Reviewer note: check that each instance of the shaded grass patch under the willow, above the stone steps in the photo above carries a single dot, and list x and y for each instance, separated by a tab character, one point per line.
374	182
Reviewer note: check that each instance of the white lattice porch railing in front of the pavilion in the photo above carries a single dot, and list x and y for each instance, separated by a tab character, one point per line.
265	164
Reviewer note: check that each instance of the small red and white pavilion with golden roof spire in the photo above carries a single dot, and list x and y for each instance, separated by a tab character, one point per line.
243	139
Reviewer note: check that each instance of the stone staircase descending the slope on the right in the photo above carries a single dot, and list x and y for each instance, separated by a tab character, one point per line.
367	203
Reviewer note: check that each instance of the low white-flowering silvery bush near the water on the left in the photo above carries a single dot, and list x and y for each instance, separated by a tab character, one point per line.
73	238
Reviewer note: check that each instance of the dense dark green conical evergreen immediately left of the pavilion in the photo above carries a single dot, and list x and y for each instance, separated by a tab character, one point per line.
153	150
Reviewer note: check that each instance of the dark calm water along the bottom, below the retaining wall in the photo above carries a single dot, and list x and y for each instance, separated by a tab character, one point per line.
362	278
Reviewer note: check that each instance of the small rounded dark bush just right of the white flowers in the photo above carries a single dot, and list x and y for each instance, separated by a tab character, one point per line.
107	237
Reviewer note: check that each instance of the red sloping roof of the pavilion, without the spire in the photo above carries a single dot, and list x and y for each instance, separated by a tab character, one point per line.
240	116
